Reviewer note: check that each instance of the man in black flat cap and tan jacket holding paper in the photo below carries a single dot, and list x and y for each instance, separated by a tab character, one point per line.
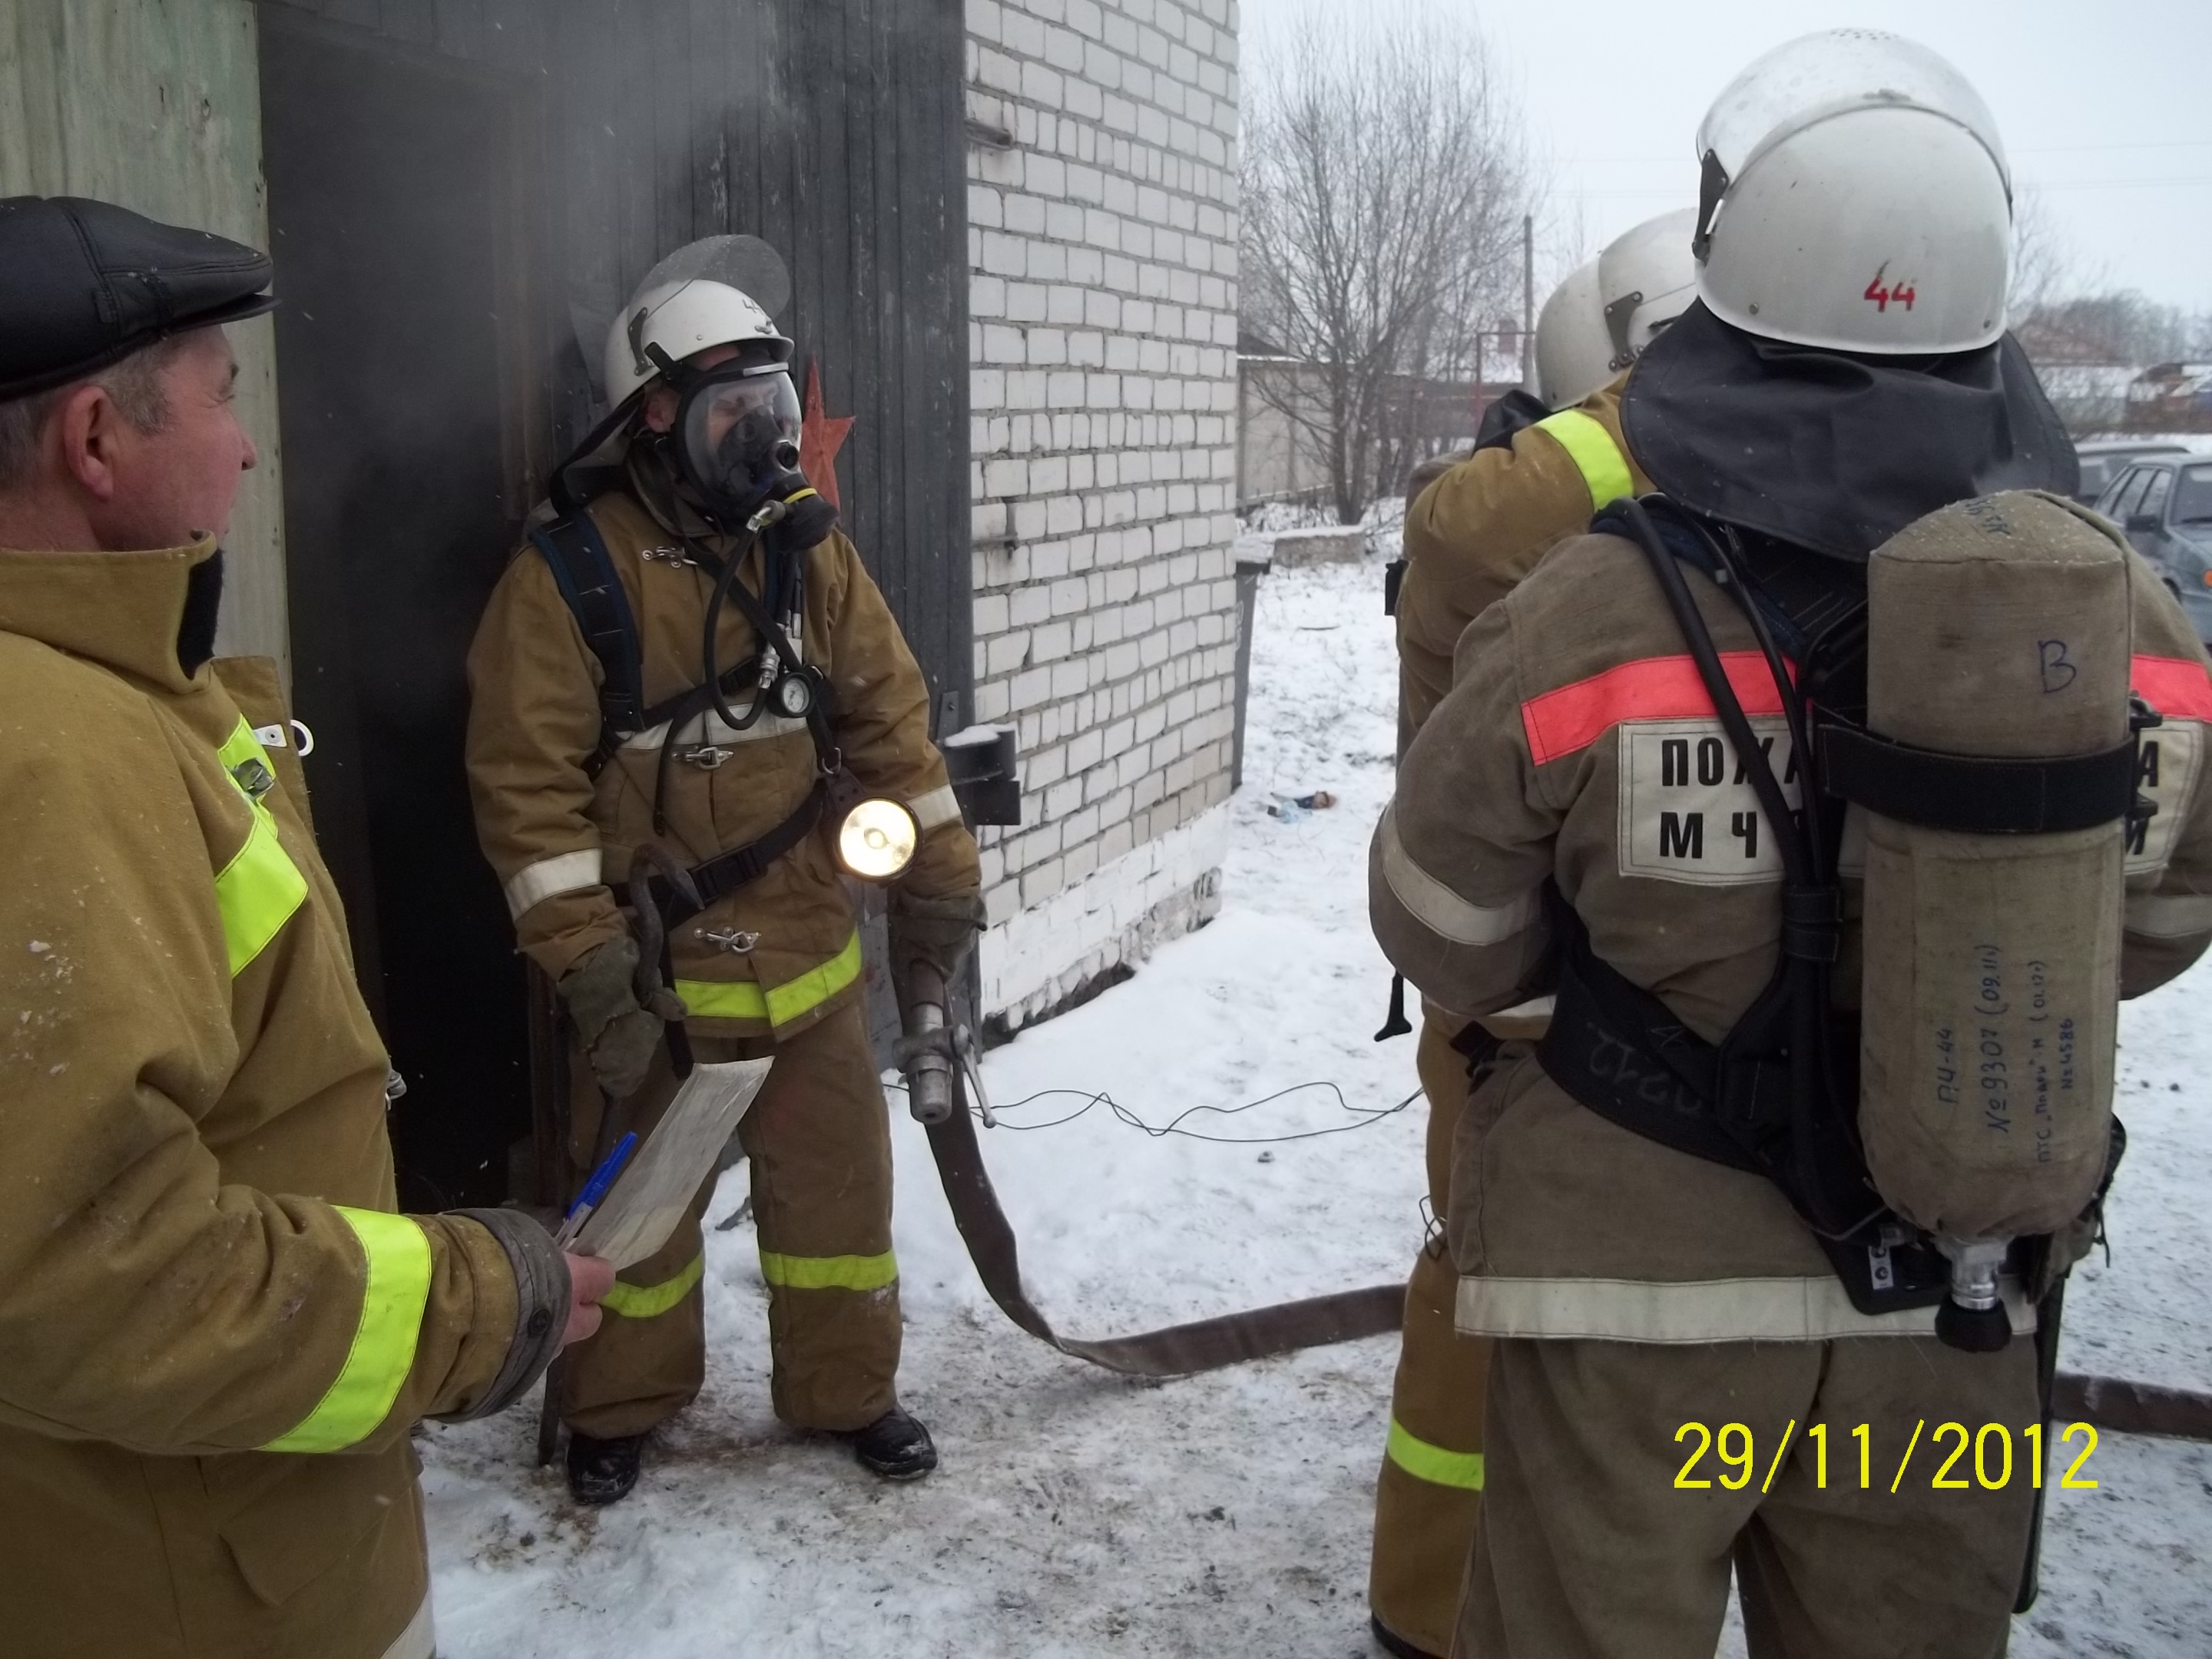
213	1328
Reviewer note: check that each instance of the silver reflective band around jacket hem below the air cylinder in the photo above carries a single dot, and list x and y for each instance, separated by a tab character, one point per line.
1707	1311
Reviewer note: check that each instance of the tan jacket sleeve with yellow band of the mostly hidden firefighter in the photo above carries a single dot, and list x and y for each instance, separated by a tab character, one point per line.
1485	523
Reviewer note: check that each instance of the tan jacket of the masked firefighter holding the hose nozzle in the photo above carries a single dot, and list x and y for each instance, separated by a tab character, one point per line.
559	837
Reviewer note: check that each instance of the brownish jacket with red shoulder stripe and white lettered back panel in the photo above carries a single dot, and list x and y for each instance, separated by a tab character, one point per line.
1547	764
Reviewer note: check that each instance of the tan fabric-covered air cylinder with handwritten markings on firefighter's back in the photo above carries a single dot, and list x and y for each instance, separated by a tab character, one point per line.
1996	627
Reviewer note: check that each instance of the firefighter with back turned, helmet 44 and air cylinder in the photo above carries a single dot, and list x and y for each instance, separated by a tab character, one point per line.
1813	789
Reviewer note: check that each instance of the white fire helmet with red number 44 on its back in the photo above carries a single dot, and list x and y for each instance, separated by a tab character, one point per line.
1855	198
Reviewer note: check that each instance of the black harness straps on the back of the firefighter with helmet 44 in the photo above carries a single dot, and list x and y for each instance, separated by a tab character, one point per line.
1780	1094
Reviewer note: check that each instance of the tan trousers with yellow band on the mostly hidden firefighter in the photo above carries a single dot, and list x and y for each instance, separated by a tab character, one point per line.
1432	1468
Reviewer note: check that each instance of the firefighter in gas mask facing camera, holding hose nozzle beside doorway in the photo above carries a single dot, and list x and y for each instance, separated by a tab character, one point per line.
689	671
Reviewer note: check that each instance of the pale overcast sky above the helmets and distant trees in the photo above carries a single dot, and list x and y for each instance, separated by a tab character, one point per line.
2105	105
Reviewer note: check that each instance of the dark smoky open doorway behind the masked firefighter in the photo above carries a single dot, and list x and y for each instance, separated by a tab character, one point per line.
390	196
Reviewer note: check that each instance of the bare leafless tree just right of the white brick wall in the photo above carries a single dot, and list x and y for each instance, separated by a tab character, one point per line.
1384	191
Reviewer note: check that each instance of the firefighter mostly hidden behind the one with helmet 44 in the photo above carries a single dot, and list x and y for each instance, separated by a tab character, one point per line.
1477	530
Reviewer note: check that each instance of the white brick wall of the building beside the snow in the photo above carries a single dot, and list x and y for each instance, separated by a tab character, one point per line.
1103	289
